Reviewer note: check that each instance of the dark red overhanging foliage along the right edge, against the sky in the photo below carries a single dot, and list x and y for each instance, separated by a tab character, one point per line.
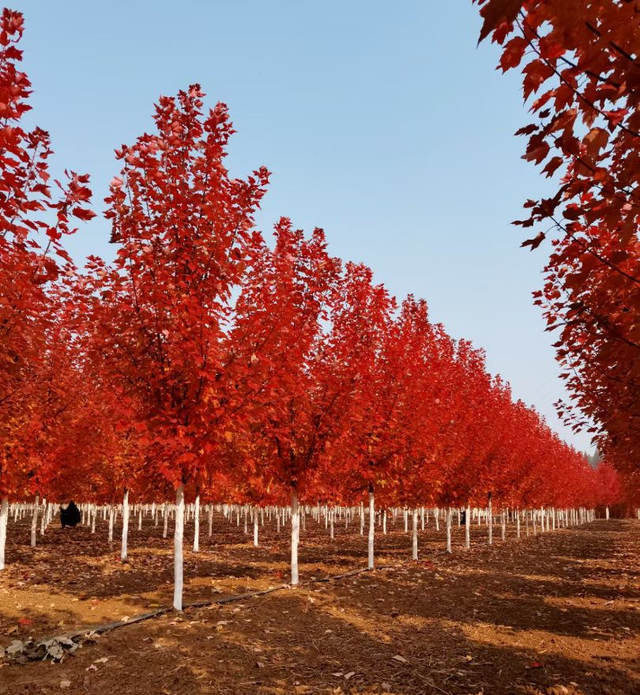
582	55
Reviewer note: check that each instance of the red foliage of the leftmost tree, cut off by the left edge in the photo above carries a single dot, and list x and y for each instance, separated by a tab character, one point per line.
33	358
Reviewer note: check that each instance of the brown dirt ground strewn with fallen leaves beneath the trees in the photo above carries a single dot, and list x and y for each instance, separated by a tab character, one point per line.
553	614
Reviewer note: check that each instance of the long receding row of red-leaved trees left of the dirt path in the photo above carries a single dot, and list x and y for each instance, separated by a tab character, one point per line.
206	361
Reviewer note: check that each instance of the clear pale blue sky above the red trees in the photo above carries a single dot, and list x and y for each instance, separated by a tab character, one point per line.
381	122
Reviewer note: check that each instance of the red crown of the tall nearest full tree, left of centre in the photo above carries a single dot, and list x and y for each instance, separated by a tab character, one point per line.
182	228
